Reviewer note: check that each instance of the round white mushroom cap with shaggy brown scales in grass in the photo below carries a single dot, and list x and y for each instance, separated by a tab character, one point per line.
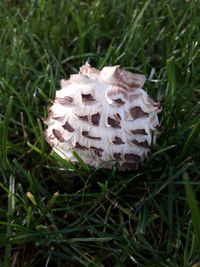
103	116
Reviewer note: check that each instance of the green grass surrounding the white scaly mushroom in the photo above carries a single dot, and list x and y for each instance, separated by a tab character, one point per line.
53	216
